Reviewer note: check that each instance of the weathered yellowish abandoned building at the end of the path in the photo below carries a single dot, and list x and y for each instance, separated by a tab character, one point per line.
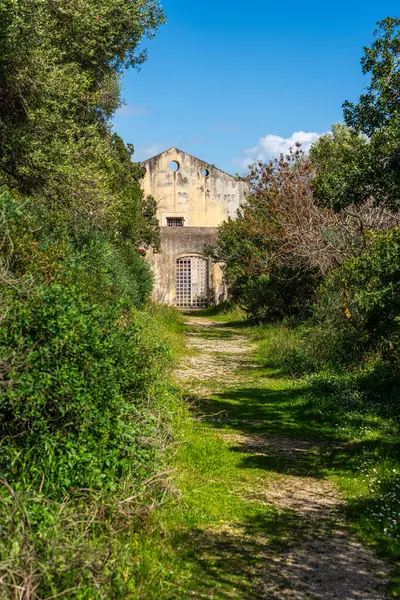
193	198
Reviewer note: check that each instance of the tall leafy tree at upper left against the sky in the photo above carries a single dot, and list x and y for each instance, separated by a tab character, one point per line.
60	66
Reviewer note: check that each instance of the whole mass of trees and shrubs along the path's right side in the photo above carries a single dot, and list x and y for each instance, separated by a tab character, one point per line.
317	241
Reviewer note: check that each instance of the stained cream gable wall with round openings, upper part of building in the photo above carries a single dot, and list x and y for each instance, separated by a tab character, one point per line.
199	192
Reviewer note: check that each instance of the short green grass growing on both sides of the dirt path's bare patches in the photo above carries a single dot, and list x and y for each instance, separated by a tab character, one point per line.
211	528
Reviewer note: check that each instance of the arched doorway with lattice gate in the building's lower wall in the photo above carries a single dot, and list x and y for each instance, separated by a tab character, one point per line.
192	282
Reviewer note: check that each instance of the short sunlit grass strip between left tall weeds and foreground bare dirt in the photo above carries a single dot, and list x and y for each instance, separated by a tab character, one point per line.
215	536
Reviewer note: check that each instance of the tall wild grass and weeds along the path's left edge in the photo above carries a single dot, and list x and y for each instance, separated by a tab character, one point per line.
83	543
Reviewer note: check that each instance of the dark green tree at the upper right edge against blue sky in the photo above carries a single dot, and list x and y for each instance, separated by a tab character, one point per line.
363	161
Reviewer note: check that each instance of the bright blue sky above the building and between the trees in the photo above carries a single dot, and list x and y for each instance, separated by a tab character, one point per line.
232	81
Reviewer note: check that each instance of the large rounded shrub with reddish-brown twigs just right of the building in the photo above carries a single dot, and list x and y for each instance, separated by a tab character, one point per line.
282	245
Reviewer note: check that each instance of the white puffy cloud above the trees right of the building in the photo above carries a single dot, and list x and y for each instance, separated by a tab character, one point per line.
271	146
